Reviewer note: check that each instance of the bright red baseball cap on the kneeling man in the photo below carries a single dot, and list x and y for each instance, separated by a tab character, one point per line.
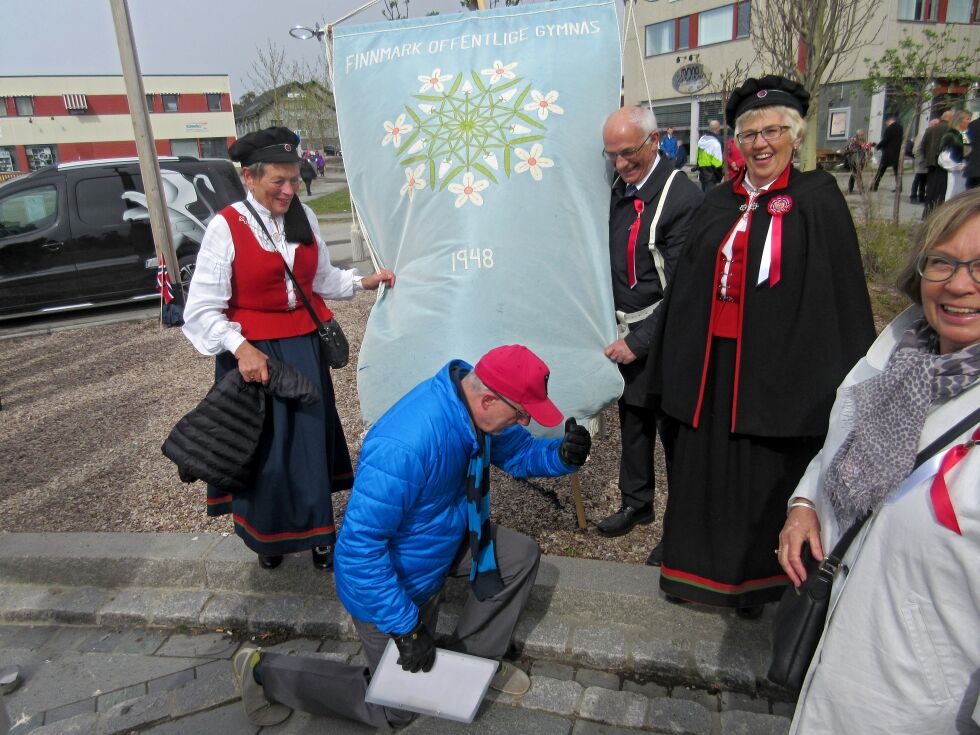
519	375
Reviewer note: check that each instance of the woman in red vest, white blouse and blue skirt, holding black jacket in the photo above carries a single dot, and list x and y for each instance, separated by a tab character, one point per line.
244	308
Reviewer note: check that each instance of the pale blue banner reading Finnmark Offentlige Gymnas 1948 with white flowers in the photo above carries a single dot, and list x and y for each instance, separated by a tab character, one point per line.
472	145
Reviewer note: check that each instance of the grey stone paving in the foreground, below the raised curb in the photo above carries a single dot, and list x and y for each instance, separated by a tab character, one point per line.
91	679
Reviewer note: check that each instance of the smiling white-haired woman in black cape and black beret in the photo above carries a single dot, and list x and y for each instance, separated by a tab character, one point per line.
767	312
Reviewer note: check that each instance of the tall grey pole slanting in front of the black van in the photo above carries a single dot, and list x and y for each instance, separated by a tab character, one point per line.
156	204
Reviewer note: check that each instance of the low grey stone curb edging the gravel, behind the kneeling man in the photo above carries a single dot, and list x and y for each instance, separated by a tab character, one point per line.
604	615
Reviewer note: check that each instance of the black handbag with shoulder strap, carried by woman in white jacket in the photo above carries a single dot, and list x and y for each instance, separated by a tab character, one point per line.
802	612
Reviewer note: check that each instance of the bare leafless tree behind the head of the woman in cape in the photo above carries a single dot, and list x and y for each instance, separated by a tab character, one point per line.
813	42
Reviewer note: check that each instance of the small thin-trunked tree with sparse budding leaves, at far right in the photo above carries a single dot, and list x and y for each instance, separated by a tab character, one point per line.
909	71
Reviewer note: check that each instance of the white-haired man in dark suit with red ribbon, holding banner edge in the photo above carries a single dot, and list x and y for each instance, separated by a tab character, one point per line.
643	247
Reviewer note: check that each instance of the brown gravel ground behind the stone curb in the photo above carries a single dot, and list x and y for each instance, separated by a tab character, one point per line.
86	410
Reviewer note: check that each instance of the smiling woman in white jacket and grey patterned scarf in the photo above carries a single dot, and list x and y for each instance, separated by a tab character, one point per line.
901	649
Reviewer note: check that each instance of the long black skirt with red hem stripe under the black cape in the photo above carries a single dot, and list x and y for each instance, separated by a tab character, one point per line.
726	500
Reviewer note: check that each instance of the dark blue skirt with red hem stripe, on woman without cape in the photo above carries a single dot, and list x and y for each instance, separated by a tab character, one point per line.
302	458
